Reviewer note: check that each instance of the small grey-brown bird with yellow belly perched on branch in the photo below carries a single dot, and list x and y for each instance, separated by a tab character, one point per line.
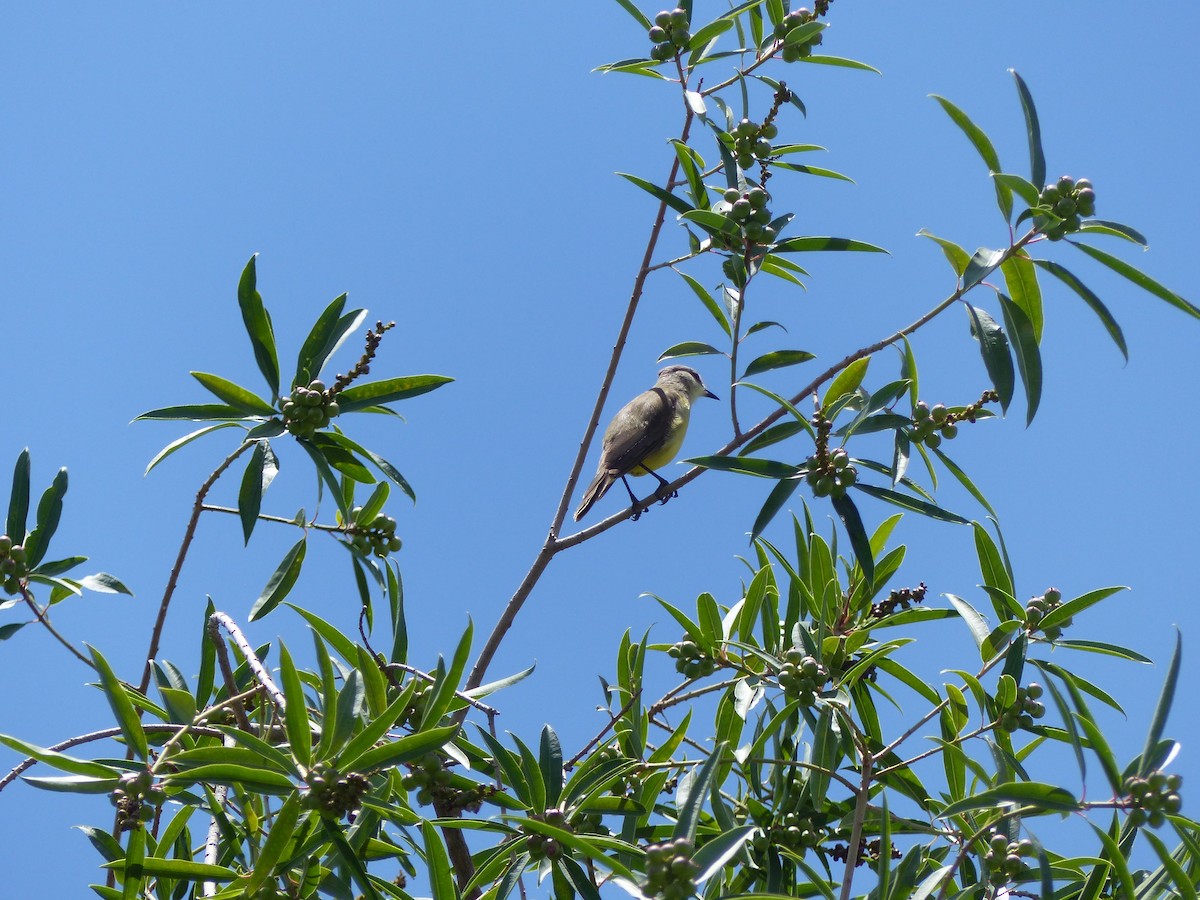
646	435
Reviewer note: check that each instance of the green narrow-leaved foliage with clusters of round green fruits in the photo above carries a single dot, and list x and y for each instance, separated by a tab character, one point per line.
770	769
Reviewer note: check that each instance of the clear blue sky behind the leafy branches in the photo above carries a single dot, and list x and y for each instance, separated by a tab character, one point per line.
453	170
